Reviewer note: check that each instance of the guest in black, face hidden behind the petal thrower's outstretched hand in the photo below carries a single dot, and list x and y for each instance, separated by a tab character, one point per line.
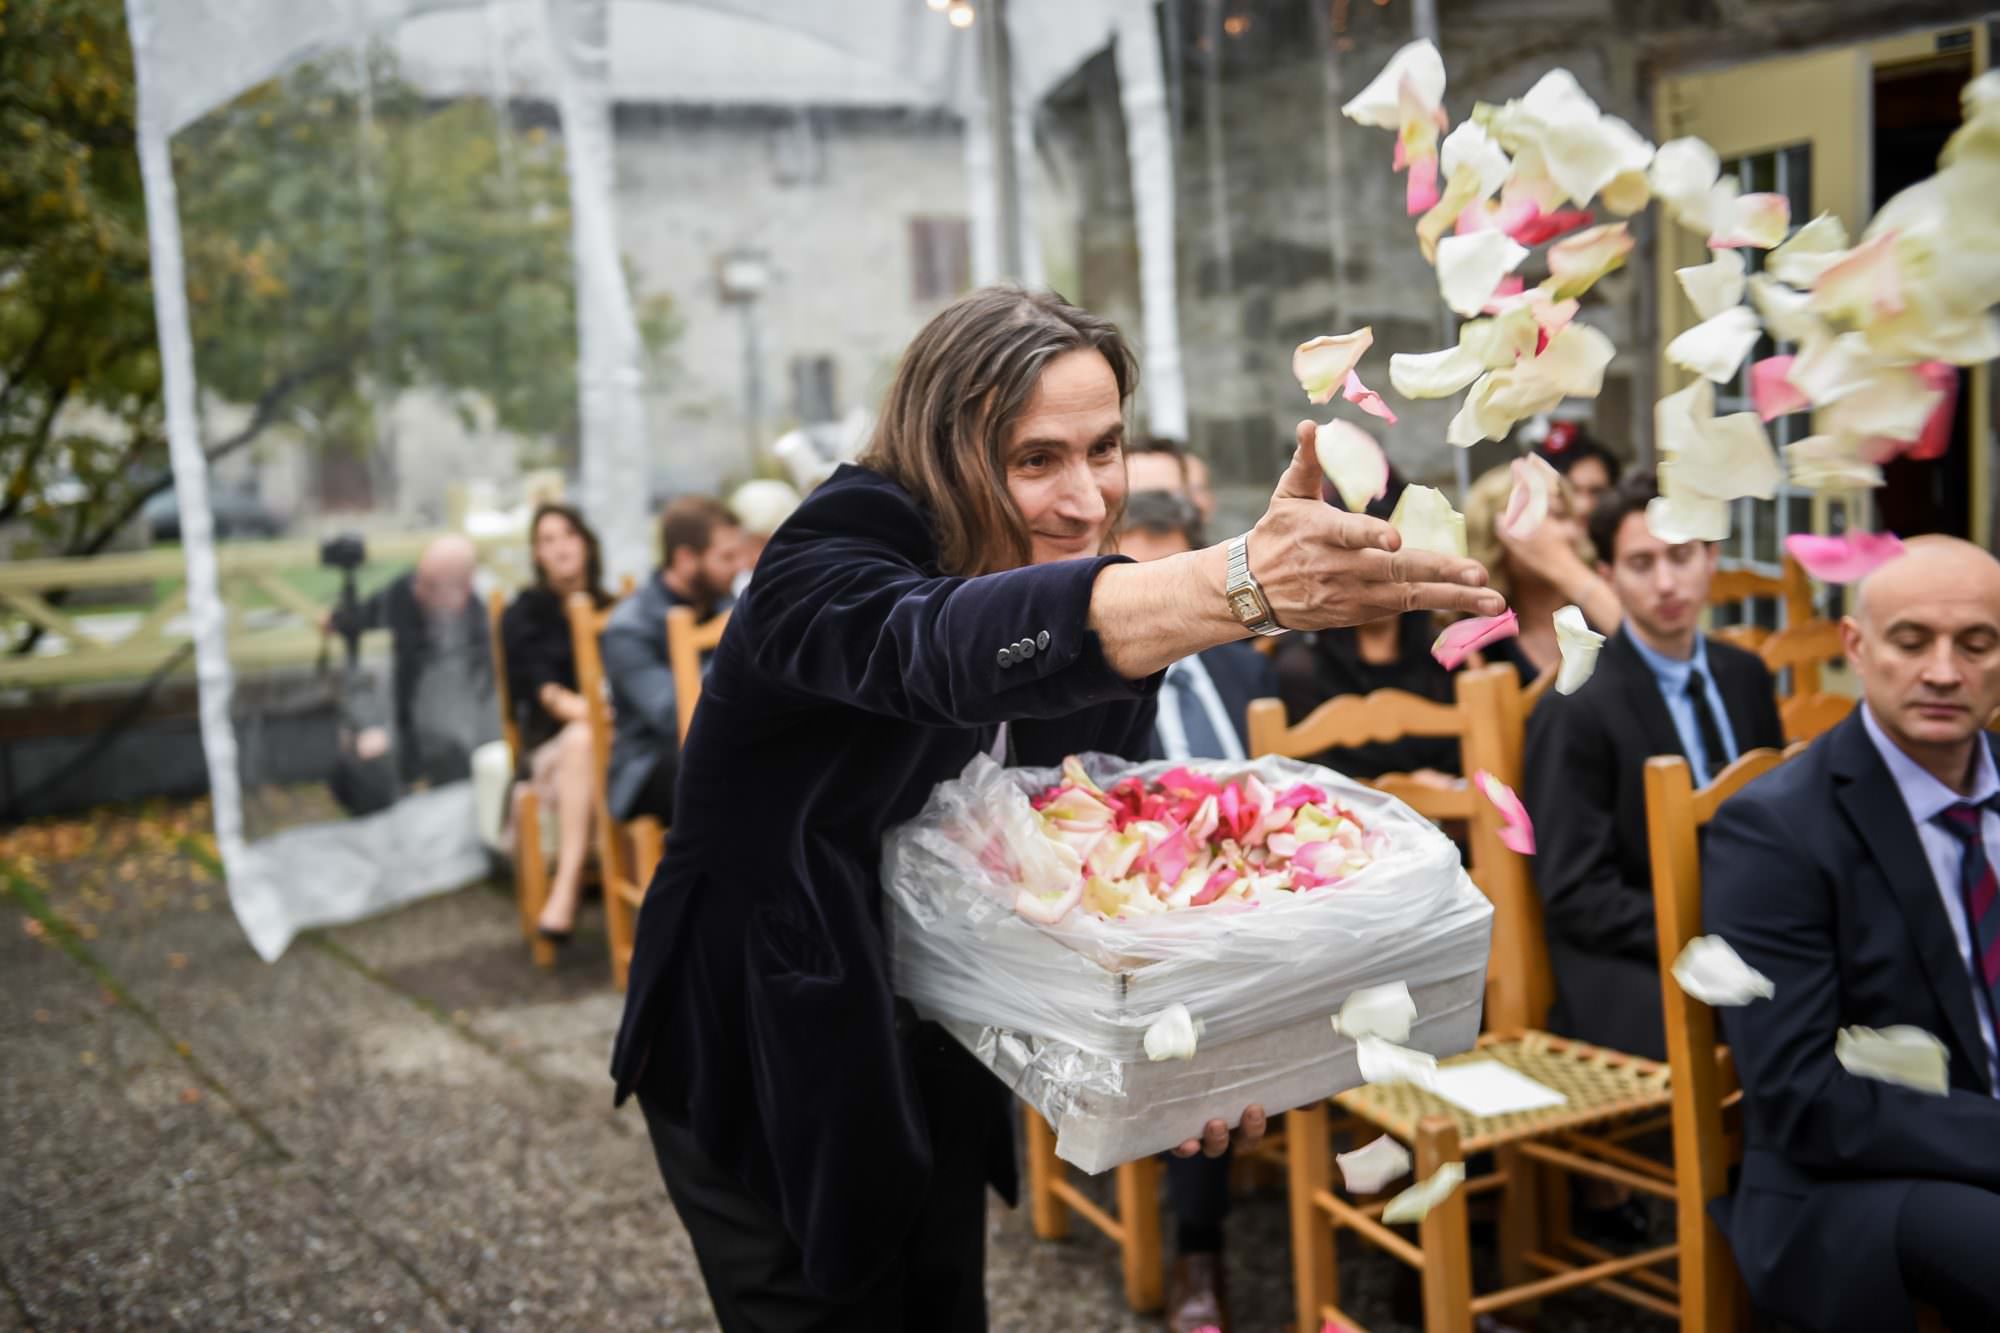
1383	655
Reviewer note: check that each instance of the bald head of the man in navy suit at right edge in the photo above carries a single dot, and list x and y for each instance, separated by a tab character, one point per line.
1925	641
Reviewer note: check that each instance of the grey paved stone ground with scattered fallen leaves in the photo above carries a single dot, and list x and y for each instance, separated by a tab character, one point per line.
401	1124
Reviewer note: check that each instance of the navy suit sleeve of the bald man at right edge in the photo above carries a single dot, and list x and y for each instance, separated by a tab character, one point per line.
1779	912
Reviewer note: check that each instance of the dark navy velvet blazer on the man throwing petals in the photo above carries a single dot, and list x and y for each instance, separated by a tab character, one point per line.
851	682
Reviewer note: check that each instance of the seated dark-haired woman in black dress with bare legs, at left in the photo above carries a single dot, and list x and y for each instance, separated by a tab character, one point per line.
541	665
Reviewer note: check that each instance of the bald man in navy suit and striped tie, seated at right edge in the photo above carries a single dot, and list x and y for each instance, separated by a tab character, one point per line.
1861	880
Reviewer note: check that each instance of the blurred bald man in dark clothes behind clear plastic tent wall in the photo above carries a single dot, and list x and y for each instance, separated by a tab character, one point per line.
441	674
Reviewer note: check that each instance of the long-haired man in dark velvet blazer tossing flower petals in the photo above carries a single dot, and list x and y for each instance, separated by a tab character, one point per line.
951	595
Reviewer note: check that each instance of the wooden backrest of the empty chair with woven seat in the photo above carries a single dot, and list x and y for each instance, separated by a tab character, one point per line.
1489	720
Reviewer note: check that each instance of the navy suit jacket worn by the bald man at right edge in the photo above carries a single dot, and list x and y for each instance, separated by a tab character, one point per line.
1819	880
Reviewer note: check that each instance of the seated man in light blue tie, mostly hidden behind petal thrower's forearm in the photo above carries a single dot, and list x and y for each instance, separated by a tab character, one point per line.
1203	716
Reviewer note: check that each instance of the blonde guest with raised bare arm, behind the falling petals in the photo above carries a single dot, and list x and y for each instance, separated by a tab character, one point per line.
1539	575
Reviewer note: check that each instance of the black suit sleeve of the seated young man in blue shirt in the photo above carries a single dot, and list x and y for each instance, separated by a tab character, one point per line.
1569	778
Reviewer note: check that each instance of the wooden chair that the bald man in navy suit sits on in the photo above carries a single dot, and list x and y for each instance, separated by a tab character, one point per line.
1705	1078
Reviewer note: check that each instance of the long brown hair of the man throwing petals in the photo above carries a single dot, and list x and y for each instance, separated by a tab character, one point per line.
957	395
